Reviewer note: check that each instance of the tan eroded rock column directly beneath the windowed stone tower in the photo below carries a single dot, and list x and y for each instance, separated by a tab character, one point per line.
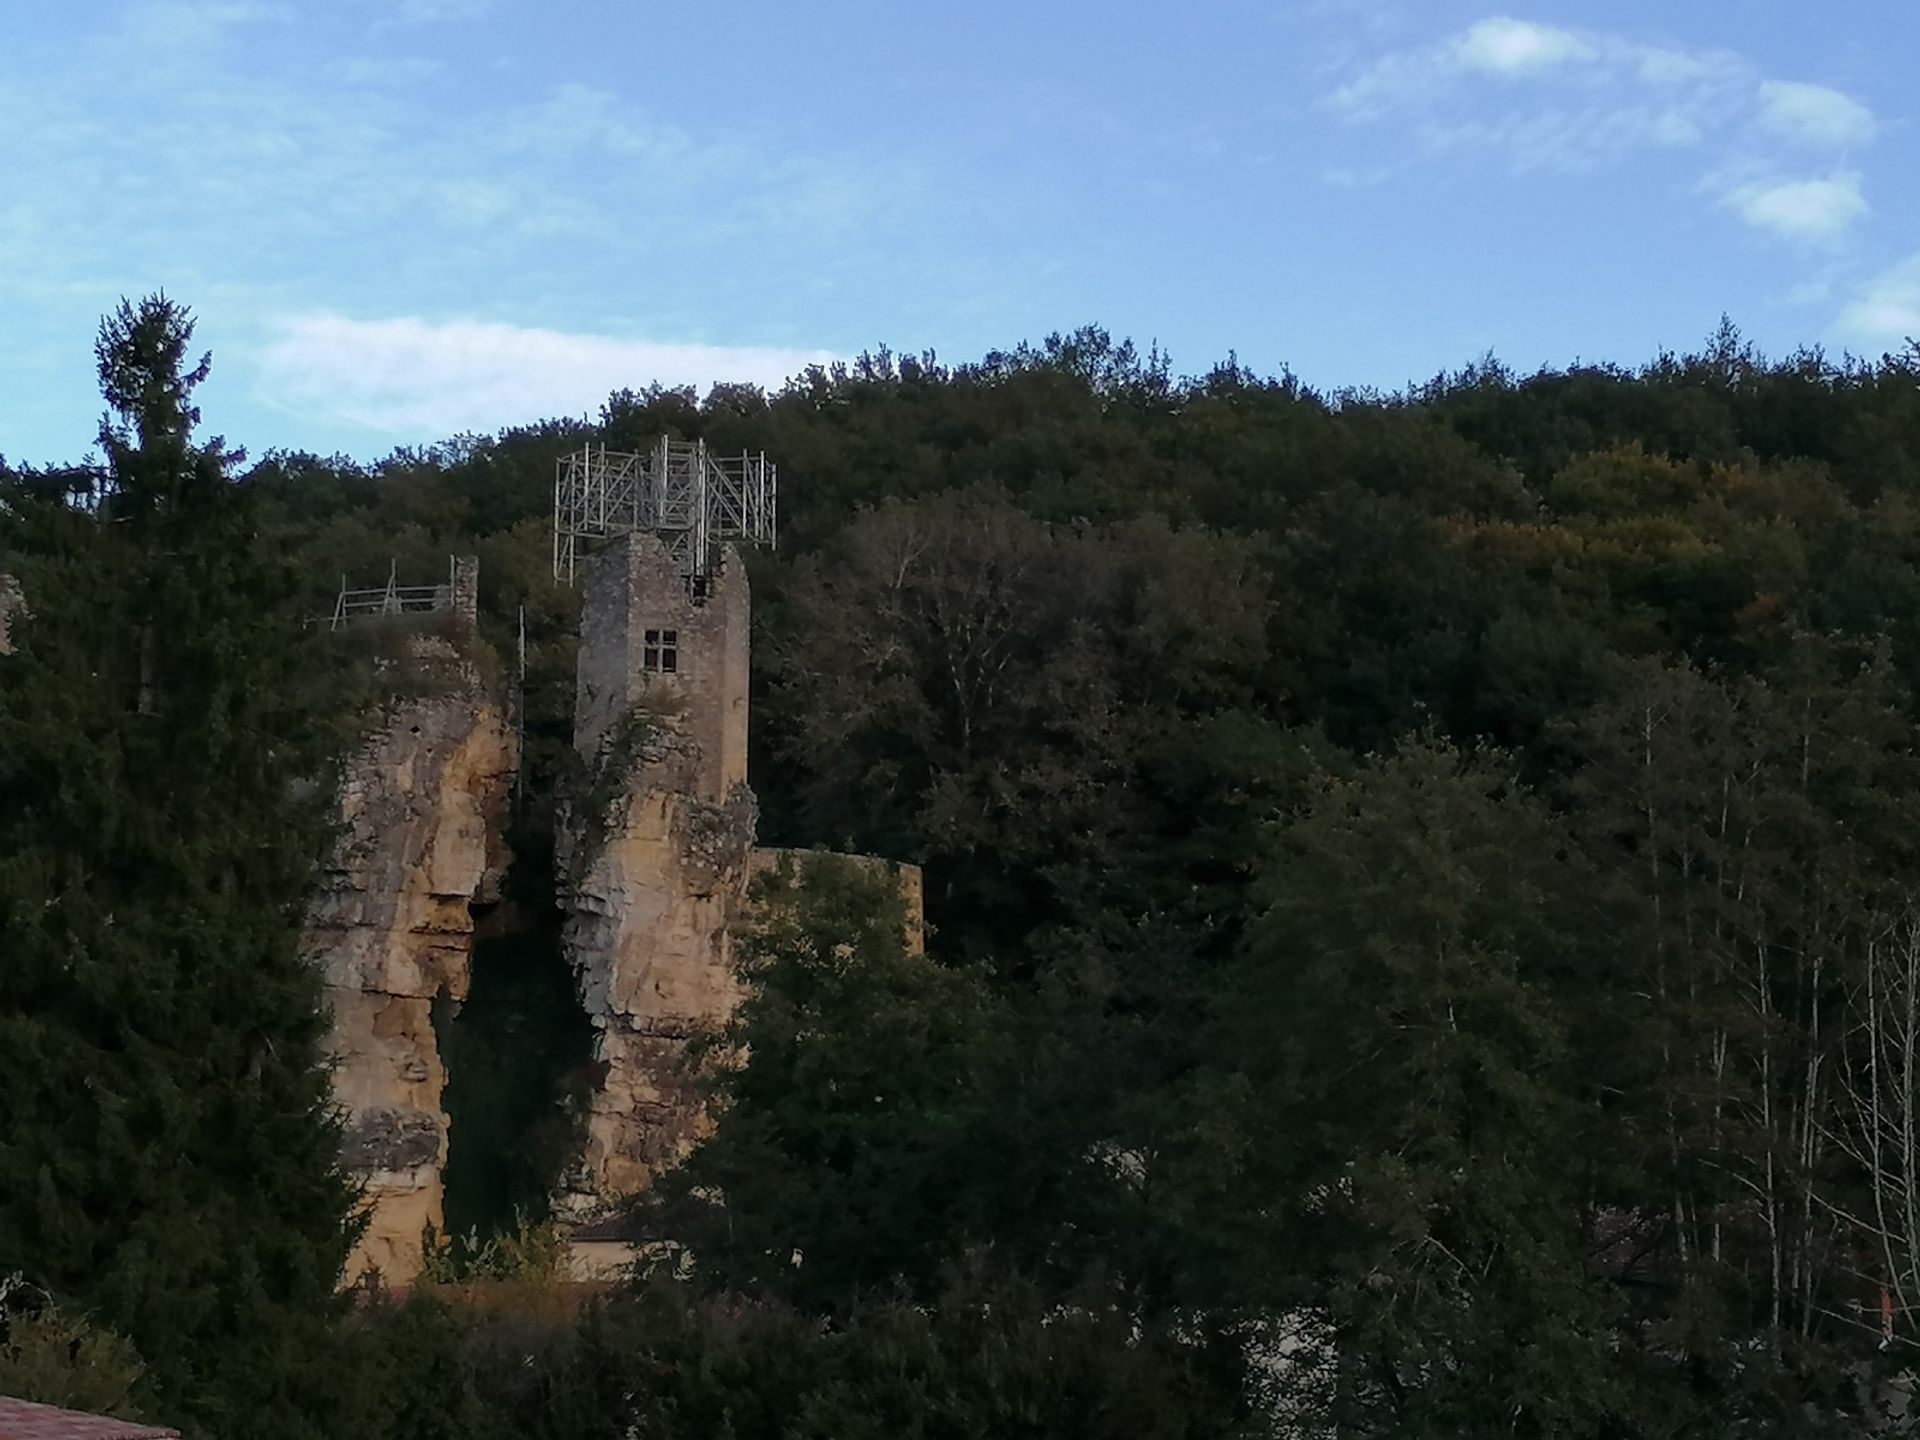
656	880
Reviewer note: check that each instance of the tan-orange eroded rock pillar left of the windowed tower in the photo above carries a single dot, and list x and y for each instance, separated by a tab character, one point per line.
421	807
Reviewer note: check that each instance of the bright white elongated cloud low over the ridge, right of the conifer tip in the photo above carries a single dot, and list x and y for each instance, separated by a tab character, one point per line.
410	377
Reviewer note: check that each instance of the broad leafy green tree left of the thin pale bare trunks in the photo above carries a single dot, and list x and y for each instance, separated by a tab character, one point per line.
1429	1159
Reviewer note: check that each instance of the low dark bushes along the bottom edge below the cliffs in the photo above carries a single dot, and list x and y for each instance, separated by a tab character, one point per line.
986	1355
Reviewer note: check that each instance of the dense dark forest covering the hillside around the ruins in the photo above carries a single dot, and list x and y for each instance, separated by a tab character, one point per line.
1422	890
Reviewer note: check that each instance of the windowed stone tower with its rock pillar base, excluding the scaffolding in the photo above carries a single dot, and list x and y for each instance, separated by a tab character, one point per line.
658	855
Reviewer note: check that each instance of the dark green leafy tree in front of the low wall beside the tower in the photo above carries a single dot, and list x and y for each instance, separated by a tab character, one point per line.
852	1145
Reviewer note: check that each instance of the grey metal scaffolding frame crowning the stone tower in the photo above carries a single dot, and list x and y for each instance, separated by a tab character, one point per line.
688	496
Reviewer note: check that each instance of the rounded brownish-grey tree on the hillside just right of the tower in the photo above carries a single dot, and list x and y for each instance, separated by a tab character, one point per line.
996	696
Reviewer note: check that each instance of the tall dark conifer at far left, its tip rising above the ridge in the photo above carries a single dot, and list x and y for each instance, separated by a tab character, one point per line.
168	1155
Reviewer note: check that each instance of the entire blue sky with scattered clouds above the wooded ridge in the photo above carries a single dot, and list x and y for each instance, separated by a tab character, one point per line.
400	220
